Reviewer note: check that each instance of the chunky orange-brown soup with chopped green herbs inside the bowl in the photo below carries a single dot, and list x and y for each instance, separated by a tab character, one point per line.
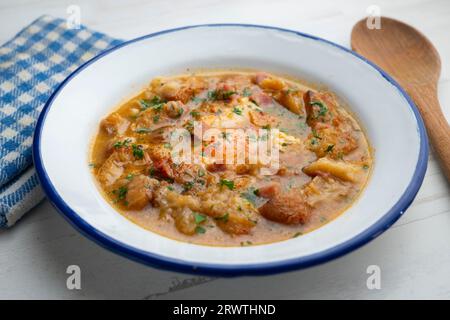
231	158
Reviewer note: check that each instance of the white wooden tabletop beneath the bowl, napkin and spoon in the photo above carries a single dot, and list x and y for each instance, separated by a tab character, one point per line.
414	255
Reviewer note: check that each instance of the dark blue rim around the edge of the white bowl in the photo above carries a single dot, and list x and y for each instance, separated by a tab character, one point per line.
164	262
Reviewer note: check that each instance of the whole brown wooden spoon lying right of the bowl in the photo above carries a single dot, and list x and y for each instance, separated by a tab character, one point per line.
408	56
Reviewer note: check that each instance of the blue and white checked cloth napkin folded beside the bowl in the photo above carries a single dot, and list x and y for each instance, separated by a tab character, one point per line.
32	65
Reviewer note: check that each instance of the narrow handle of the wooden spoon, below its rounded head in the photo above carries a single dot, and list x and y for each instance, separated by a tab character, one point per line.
438	128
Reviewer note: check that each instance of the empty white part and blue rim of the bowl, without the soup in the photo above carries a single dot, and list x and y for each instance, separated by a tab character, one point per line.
71	116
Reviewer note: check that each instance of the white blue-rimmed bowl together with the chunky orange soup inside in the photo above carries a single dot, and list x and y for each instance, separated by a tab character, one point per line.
230	149
